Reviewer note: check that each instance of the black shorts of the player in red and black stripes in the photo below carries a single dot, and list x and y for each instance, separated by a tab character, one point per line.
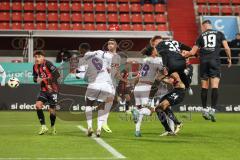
47	97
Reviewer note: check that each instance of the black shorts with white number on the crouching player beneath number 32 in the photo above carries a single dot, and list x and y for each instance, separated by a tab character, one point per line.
174	97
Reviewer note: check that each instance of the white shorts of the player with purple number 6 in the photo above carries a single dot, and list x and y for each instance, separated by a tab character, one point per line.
99	91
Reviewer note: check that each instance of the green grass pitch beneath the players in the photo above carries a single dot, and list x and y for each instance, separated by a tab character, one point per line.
198	140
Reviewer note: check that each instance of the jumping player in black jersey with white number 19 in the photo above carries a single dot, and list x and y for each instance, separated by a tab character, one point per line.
209	43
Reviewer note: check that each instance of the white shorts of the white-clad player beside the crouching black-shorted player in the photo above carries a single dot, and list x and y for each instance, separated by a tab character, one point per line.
141	93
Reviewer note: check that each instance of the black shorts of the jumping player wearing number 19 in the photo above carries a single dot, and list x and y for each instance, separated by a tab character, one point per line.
210	68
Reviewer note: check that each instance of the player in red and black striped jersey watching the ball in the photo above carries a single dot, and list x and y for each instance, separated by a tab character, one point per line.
46	74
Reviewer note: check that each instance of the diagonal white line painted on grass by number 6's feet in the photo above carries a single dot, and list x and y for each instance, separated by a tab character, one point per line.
105	145
